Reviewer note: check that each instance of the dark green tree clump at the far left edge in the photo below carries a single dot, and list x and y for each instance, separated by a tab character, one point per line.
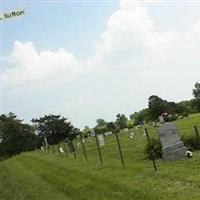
16	136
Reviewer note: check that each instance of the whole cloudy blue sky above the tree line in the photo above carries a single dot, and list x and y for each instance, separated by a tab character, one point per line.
91	59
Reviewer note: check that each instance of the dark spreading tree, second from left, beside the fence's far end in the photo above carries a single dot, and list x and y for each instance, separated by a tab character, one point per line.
55	128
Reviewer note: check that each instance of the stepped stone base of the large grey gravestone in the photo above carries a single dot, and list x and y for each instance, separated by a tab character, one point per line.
174	152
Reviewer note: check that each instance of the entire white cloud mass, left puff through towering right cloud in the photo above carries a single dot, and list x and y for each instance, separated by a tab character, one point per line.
132	61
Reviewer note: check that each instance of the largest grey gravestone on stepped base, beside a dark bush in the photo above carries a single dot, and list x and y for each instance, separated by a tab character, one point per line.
172	147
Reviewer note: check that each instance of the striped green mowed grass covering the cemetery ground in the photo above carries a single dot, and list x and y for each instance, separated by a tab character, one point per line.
38	175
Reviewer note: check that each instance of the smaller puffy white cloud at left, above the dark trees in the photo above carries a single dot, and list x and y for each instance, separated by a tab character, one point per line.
30	66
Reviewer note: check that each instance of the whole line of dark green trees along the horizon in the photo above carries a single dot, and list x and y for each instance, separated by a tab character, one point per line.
17	136
